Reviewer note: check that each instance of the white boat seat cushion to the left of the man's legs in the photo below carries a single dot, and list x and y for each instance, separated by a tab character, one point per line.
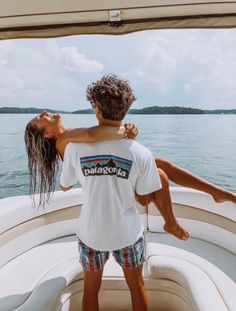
40	274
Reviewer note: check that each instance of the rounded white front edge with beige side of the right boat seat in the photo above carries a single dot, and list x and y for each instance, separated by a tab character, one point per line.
193	281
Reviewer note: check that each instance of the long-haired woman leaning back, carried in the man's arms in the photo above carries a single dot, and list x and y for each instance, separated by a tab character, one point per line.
46	138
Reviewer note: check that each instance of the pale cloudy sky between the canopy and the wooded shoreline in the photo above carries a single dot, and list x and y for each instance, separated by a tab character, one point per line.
189	68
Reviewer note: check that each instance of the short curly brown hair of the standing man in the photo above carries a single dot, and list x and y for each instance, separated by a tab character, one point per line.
113	95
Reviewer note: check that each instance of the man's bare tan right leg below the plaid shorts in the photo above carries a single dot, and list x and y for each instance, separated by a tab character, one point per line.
134	279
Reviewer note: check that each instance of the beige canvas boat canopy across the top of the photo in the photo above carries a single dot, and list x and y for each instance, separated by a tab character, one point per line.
33	18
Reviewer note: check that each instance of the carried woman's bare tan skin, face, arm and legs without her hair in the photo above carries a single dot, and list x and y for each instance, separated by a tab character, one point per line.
53	126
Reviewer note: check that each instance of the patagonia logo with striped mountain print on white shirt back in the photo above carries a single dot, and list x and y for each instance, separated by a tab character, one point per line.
105	165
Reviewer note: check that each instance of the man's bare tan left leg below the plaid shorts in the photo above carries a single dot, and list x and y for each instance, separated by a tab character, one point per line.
92	284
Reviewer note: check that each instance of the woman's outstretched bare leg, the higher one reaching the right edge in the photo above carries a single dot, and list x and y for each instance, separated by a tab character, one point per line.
184	178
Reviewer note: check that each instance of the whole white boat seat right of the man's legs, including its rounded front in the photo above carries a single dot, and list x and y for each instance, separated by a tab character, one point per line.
193	270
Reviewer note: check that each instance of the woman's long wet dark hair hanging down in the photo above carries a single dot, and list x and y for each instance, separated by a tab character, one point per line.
43	160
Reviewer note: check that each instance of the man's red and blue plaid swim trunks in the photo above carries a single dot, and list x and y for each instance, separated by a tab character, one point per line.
128	257
